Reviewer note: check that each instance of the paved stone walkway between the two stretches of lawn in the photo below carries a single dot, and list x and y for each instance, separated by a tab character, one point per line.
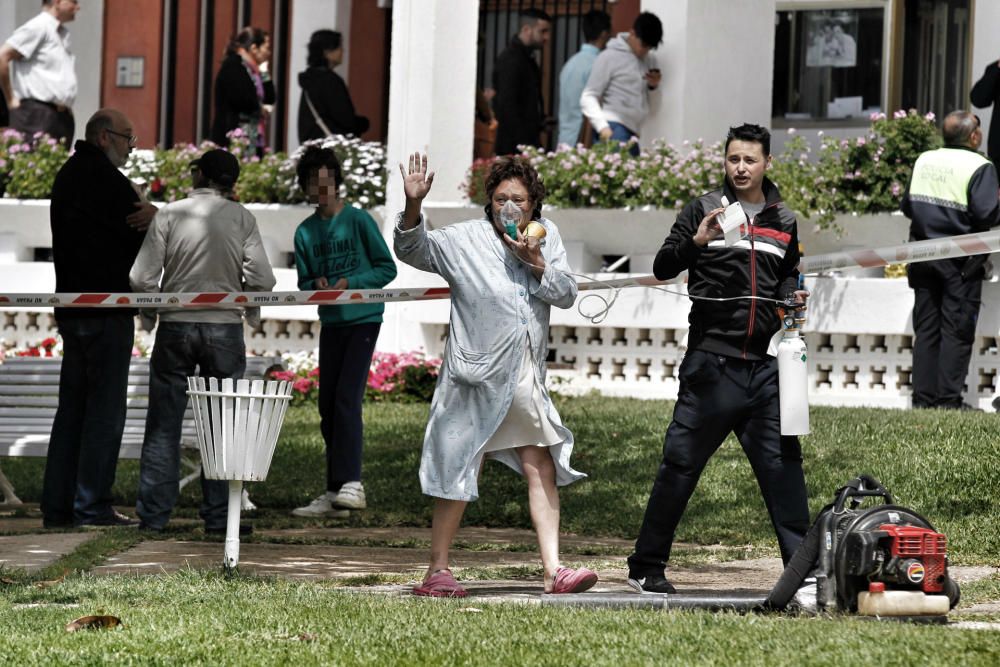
313	554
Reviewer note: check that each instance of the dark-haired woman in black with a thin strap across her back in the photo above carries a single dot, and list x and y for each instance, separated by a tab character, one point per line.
326	107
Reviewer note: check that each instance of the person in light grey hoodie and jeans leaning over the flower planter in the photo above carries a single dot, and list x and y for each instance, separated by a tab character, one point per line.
616	97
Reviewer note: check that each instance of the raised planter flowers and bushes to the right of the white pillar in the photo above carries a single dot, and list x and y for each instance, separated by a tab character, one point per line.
866	174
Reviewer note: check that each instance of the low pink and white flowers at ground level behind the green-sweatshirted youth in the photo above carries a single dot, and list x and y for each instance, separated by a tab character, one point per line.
409	377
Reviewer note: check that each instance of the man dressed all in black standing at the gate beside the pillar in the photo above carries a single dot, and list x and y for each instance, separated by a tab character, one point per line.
517	80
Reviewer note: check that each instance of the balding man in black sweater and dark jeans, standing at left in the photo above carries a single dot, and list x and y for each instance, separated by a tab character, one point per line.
98	224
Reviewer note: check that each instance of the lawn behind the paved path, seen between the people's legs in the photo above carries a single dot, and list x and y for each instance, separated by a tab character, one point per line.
945	465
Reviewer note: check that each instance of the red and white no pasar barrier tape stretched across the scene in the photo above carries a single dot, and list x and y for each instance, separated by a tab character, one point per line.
918	251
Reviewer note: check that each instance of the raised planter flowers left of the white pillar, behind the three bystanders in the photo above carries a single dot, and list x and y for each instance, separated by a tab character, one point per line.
28	169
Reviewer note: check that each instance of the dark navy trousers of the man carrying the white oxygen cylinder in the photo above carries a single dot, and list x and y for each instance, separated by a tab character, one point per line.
719	395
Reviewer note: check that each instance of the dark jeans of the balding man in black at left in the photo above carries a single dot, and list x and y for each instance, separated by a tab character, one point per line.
87	430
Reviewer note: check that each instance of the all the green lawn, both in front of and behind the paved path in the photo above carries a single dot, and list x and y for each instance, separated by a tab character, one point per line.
944	465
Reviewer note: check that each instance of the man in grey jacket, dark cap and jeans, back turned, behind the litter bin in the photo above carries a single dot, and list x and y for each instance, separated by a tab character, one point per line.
205	243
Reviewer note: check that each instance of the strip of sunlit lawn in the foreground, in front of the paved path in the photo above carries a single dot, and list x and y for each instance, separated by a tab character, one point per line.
200	618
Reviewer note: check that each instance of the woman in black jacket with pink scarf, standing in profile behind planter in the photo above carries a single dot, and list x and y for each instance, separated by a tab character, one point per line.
243	88
